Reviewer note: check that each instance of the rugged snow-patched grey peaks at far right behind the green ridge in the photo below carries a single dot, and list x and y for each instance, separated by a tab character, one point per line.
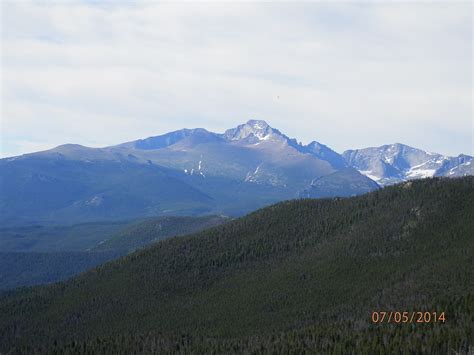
397	162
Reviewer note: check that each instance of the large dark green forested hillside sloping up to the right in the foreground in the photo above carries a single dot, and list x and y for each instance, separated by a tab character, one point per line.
300	275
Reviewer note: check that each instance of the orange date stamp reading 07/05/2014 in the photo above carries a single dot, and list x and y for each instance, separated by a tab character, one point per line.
379	317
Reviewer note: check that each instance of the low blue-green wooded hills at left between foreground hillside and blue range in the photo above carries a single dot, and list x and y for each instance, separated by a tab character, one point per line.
69	250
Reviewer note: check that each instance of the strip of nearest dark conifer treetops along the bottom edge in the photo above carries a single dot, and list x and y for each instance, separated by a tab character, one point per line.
344	337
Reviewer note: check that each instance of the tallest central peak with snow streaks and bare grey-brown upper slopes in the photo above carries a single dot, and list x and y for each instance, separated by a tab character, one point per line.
253	152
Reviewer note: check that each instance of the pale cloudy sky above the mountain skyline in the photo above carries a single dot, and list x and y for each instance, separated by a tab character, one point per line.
348	75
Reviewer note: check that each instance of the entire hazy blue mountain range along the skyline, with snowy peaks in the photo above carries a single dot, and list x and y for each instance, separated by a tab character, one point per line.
197	172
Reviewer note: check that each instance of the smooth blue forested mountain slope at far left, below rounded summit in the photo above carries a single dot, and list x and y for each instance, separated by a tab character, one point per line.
51	186
